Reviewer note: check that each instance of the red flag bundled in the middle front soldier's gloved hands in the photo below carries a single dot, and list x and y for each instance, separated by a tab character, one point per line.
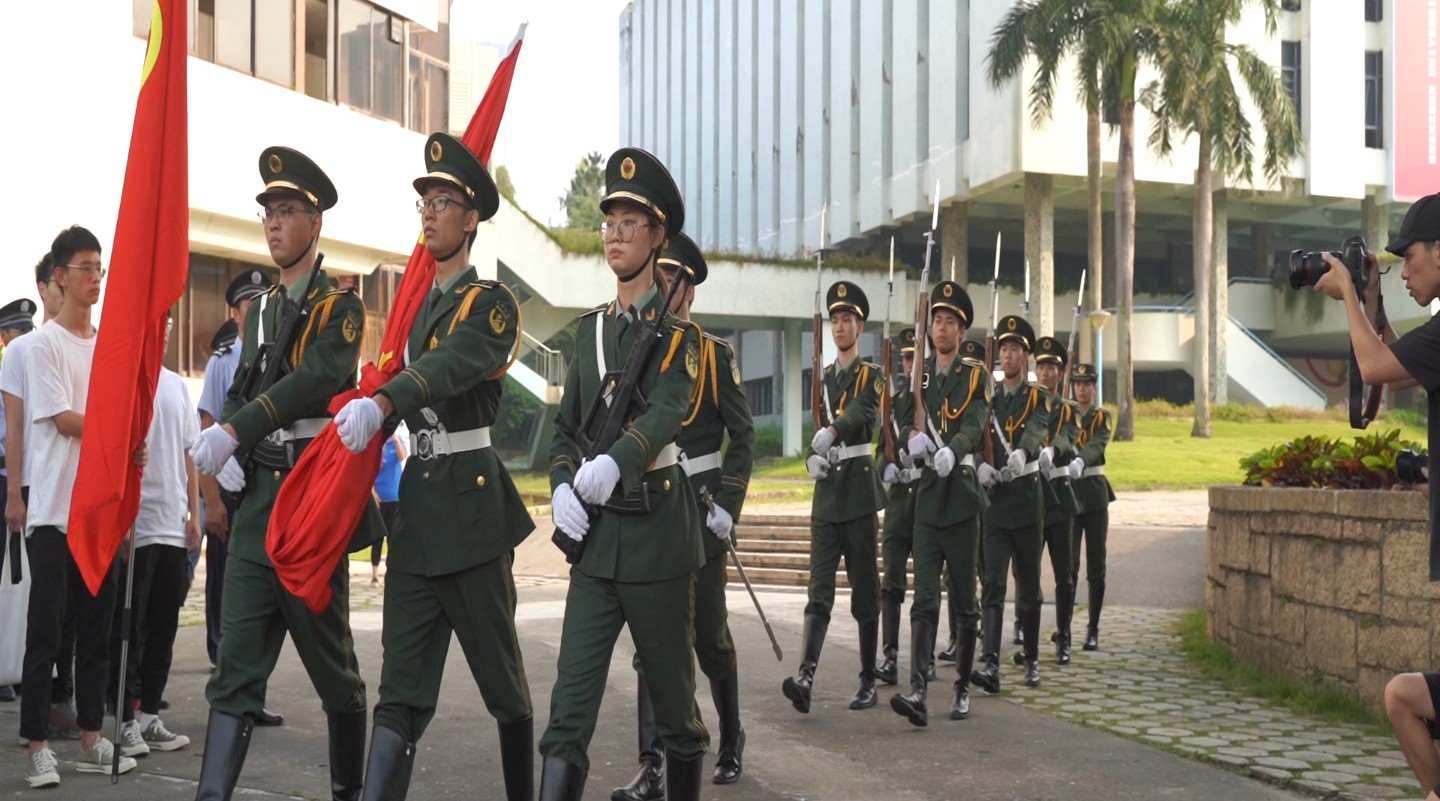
320	504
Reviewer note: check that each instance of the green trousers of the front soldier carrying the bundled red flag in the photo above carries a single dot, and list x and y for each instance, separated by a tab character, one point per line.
479	606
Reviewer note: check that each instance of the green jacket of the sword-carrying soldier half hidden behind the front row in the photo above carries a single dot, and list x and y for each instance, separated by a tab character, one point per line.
719	406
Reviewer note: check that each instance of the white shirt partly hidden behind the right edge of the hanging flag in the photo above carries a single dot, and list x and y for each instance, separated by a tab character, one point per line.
165	496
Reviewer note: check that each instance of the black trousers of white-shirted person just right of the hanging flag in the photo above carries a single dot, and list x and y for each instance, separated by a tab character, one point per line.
159	593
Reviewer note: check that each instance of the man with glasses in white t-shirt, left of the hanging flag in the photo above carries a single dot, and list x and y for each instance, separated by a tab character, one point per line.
57	387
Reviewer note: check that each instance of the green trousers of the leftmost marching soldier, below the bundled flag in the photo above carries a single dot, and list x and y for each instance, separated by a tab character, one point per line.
257	612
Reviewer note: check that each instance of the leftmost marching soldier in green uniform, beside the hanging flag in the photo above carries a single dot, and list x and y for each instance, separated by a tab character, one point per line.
270	426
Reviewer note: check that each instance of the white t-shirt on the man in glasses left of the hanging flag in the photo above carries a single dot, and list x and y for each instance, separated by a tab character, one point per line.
57	381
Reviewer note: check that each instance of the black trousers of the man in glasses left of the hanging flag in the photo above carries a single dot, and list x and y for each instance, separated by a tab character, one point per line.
55	584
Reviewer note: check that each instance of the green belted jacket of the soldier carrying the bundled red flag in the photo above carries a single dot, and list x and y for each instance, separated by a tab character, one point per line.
457	511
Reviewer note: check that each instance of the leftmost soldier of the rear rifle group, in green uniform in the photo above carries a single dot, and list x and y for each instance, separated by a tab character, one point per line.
847	498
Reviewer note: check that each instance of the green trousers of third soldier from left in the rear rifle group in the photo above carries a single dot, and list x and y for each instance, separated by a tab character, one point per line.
958	548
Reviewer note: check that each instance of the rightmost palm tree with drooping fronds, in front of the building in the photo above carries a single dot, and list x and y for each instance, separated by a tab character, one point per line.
1199	94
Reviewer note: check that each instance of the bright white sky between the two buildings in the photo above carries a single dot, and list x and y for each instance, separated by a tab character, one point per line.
565	97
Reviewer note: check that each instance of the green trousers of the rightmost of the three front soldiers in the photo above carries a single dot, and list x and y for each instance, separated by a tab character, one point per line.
660	619
